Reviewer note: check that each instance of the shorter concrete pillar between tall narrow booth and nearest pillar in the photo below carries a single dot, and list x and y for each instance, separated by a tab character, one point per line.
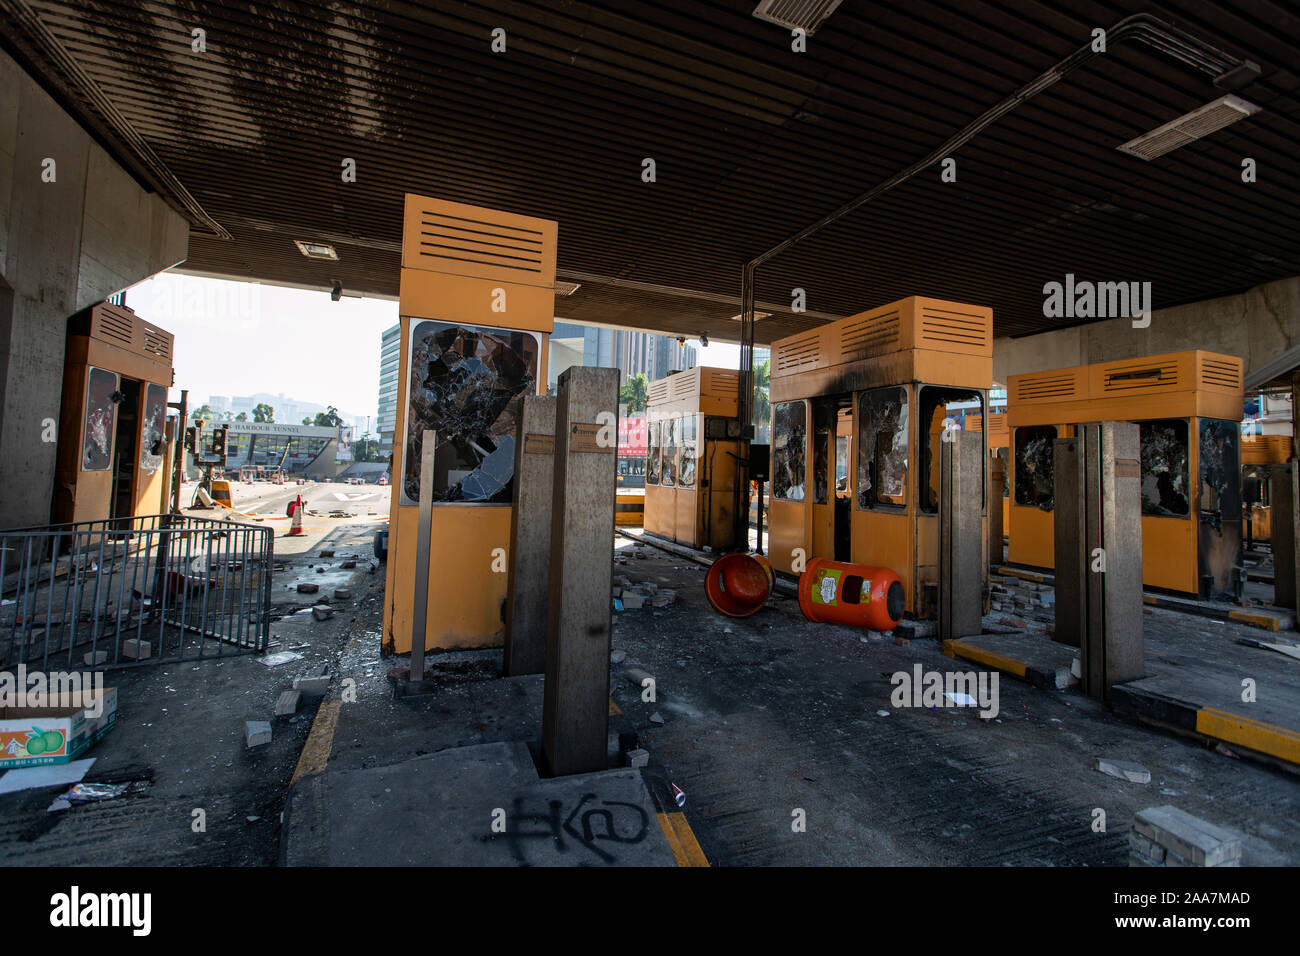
527	596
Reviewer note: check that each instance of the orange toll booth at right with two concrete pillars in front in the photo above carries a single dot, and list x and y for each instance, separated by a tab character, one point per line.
1189	408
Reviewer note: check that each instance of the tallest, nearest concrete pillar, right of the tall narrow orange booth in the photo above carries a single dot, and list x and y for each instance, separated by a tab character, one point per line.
577	698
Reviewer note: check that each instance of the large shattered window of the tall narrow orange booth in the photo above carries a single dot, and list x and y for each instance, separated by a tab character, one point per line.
462	380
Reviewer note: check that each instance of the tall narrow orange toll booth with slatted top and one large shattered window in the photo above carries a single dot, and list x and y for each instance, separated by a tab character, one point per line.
478	306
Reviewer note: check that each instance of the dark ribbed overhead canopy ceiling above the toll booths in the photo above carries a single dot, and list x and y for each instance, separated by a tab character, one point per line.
751	142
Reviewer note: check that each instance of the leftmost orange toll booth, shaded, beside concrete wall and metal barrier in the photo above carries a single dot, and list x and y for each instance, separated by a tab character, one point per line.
114	453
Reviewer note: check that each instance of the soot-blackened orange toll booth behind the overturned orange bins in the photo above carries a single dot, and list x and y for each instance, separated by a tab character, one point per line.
859	413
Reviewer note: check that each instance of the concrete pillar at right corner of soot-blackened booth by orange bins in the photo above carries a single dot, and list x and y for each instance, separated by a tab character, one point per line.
961	543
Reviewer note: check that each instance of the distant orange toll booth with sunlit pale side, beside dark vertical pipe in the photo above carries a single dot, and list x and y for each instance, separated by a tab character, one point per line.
691	461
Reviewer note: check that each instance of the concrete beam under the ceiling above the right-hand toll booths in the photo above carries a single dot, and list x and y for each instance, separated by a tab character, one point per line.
1259	326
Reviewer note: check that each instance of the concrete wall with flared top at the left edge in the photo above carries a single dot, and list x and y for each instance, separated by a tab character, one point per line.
64	245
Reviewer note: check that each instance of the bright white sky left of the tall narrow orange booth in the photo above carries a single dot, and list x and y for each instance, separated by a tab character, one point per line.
236	339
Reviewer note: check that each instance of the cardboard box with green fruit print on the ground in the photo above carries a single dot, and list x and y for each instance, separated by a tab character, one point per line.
64	729
